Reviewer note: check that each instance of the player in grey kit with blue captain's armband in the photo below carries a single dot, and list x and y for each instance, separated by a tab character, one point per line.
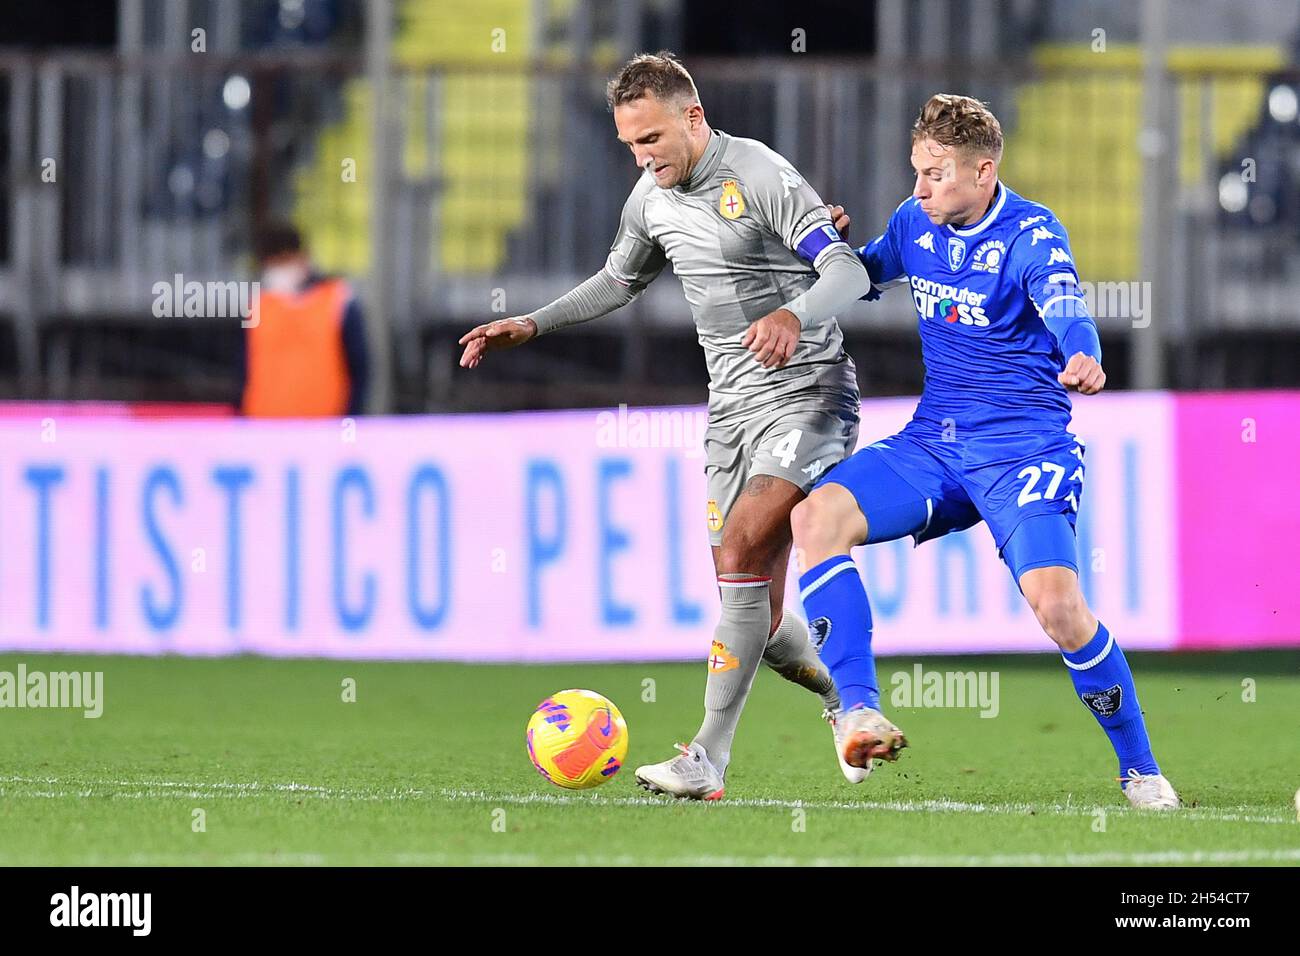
740	227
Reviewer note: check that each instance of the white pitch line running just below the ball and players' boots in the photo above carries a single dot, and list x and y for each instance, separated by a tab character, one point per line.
226	789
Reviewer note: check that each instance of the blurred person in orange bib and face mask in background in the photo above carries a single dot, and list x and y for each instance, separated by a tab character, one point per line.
305	352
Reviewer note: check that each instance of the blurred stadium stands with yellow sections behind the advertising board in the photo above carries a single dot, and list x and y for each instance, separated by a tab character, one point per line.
1168	144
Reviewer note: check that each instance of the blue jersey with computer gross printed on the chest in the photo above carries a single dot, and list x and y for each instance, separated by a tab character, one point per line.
1000	312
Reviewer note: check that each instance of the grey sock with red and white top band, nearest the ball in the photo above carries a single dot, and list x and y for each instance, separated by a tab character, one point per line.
734	661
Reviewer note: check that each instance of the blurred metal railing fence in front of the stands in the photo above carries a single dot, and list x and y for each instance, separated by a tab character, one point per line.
508	185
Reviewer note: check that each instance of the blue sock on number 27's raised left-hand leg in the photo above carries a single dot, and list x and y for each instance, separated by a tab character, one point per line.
840	629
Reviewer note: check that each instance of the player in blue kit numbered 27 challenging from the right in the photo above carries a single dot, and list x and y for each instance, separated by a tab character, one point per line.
1006	332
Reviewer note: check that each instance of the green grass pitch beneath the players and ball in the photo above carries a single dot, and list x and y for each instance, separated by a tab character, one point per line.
428	767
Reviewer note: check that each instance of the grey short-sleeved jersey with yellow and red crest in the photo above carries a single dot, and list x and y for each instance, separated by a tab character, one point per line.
731	233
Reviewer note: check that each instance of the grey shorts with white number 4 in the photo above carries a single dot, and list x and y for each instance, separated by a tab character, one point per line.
799	443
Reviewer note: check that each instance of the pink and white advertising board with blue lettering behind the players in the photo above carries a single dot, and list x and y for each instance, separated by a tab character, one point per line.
574	537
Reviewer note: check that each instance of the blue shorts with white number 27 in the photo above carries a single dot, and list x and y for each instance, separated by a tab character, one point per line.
928	485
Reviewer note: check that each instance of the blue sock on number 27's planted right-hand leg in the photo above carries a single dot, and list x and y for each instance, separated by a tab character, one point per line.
1104	682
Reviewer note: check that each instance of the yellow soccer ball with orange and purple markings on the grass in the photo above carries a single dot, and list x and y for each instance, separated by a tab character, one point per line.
578	739
